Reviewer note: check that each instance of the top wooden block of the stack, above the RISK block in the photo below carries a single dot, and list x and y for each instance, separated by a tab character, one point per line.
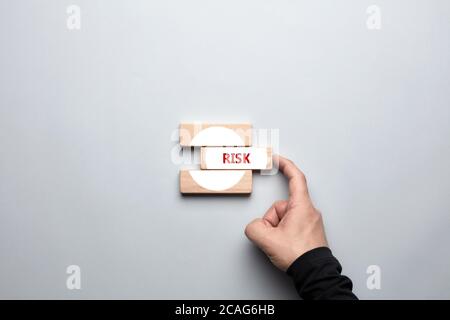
215	135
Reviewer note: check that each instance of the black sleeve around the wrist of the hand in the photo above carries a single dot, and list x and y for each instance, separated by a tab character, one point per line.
317	275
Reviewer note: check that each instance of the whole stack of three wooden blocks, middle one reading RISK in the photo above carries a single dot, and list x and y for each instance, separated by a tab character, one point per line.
227	158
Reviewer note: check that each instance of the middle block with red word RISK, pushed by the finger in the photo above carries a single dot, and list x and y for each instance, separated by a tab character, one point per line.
236	158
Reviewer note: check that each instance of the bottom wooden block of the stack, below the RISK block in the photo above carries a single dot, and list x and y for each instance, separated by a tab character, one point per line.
215	181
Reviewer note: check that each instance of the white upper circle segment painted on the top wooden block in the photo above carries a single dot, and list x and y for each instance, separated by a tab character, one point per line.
217	136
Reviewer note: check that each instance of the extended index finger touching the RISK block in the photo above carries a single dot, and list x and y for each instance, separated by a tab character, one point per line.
298	189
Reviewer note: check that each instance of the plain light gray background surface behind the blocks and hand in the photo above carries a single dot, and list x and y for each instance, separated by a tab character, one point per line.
86	119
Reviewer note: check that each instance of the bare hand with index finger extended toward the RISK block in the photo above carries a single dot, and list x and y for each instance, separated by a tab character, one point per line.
290	227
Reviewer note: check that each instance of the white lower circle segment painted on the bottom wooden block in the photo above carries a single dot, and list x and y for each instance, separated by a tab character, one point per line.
219	180
